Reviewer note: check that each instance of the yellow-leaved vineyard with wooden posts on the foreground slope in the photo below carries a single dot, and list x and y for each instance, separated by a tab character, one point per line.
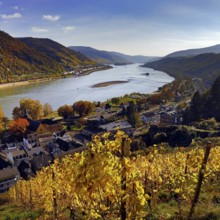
107	181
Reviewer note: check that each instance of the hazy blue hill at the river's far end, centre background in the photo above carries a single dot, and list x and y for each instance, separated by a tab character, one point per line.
107	57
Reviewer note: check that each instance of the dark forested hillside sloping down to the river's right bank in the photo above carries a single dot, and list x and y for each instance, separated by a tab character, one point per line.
204	66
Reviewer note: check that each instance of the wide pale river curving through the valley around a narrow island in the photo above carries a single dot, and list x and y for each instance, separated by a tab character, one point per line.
69	90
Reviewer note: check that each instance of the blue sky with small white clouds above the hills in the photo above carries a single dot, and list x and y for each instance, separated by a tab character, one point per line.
134	27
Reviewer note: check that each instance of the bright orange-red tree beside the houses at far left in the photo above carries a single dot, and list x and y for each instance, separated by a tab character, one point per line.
19	126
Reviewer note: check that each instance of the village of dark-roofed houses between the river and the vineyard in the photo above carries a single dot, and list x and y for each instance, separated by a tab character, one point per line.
50	138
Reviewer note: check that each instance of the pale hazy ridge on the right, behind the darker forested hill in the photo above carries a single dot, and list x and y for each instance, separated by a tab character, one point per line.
193	52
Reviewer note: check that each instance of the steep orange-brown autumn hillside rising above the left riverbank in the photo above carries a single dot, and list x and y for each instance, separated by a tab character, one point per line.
19	61
